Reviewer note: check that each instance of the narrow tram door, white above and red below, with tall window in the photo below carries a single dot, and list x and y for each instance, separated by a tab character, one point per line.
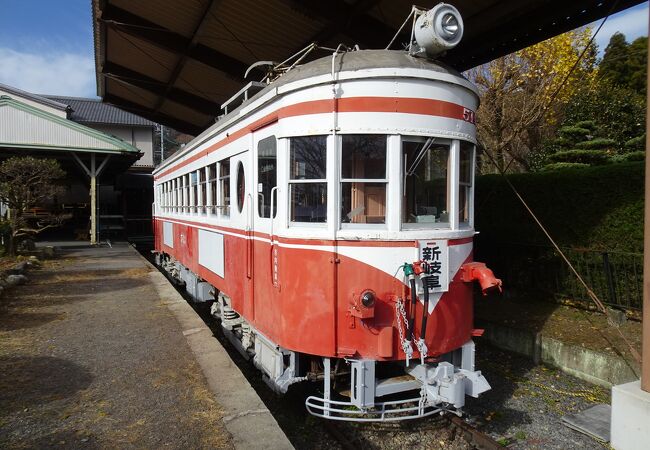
265	168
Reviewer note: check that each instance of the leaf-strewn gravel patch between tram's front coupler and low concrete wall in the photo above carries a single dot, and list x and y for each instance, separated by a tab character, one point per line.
526	403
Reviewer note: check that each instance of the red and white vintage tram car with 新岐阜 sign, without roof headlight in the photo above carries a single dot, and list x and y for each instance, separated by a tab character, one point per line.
321	215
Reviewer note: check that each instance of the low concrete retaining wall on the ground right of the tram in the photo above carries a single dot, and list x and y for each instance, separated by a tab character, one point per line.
589	365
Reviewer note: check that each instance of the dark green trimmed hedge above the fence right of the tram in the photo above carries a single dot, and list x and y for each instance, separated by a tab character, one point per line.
599	207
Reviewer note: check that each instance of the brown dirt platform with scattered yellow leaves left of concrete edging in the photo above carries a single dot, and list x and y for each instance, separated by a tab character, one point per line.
91	358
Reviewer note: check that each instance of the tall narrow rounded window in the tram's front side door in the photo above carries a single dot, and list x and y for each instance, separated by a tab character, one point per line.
267	169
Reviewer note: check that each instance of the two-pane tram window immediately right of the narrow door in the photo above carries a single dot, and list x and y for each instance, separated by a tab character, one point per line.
307	179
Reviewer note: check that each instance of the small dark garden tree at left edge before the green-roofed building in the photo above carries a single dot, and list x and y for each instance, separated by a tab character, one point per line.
26	182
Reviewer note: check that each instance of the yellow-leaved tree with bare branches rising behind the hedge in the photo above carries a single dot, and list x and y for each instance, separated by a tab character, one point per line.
522	95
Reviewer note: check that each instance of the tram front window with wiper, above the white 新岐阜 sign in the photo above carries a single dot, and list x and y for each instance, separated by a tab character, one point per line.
425	173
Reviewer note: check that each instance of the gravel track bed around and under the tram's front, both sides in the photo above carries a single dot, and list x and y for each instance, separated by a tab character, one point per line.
522	411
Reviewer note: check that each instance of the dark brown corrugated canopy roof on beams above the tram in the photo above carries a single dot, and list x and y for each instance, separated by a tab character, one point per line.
175	62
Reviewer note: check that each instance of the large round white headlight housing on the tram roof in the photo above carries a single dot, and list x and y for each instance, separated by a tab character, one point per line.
439	29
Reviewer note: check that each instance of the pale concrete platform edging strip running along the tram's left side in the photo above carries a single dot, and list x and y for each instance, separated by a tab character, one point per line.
246	418
